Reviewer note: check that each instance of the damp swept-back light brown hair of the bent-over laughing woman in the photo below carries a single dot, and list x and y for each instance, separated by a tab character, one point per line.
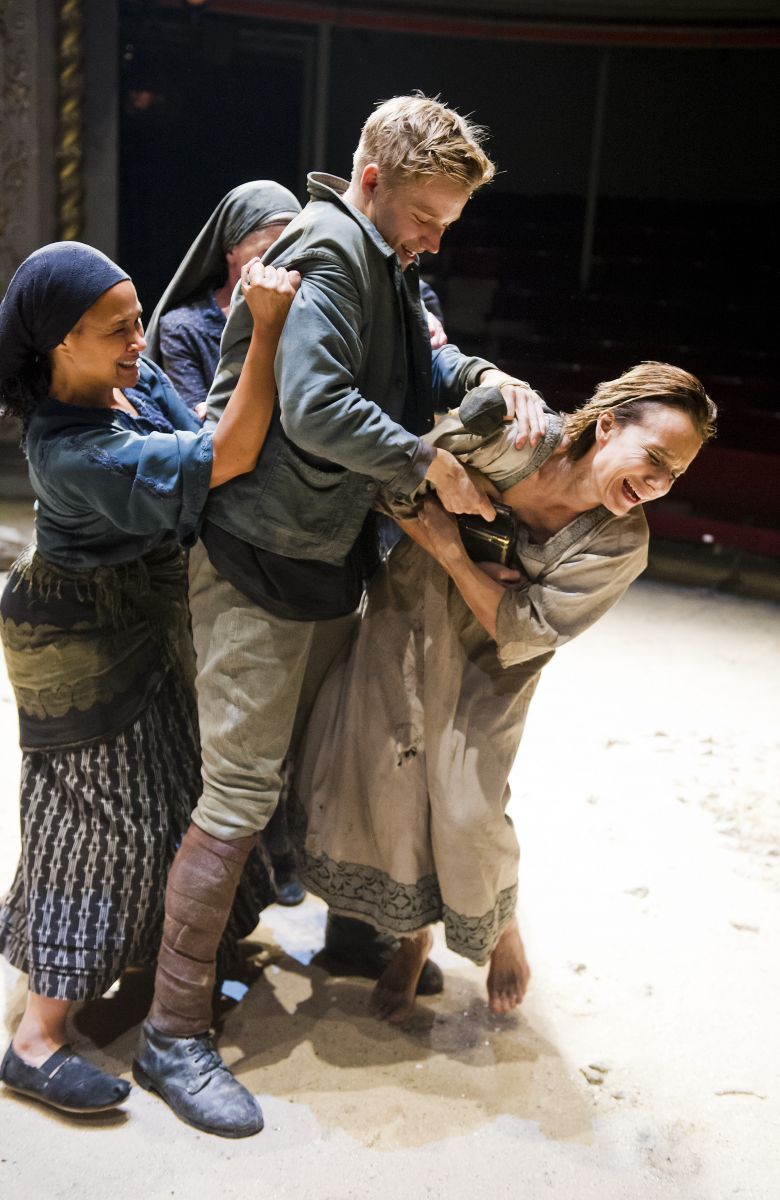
629	398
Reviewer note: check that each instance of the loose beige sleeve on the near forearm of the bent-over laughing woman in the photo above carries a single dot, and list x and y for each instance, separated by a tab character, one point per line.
535	619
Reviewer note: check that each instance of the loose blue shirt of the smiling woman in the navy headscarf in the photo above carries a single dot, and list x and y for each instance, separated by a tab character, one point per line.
111	487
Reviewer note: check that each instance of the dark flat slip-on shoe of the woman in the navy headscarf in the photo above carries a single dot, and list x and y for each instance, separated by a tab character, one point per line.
65	1082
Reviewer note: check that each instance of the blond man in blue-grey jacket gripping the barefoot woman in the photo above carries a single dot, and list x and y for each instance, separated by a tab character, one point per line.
280	569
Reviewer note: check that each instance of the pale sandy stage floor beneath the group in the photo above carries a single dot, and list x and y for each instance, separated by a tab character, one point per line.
645	1063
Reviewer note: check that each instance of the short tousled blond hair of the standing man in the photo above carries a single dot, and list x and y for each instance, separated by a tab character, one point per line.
417	137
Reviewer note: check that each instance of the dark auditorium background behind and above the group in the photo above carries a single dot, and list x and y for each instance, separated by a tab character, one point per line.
635	214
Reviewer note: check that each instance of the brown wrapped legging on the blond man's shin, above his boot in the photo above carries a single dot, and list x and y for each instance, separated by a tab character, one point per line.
201	890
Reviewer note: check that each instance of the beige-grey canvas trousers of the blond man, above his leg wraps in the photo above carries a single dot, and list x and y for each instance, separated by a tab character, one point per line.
259	676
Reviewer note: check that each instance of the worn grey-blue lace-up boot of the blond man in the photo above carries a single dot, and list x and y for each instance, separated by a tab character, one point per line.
191	1078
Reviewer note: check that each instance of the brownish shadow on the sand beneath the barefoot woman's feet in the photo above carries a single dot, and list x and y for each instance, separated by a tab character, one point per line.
305	1036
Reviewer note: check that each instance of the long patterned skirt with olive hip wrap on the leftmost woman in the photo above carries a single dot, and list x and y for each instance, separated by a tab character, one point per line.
109	787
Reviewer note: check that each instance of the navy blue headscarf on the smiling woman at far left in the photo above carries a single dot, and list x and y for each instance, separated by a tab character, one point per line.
50	295
